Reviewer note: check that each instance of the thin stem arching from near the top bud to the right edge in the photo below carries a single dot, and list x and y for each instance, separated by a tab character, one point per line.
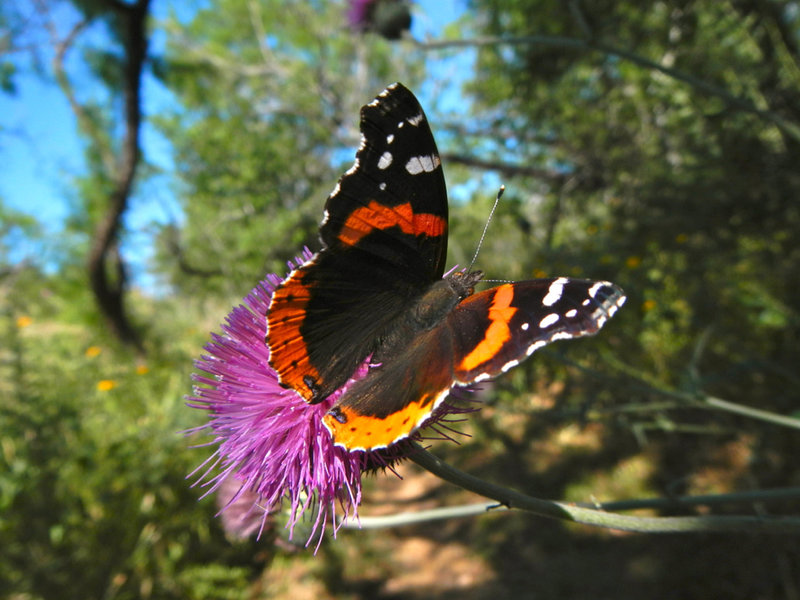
791	129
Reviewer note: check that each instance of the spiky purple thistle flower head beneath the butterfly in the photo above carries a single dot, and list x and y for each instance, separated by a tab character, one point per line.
272	445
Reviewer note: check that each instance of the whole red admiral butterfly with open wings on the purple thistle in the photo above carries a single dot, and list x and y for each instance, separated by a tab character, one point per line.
376	291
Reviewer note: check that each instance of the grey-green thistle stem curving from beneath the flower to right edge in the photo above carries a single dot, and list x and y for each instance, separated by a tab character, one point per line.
599	518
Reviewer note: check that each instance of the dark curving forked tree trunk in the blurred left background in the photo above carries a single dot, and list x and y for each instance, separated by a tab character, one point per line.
112	144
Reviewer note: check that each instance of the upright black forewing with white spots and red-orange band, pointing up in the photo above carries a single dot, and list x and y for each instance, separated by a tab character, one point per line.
392	204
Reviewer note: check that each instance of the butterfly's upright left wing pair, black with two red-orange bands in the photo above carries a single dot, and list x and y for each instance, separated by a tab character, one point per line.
385	240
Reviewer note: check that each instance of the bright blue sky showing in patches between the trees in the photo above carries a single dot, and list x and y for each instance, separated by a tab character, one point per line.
41	151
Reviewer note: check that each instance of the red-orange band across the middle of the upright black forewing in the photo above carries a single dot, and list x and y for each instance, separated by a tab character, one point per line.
366	219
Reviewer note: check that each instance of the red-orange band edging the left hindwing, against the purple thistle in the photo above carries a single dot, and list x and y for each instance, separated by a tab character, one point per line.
288	350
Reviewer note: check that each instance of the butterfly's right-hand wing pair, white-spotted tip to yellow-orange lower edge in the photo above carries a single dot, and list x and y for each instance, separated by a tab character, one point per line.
484	335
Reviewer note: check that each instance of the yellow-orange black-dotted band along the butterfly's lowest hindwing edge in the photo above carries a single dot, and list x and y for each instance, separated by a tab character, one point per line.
363	432
